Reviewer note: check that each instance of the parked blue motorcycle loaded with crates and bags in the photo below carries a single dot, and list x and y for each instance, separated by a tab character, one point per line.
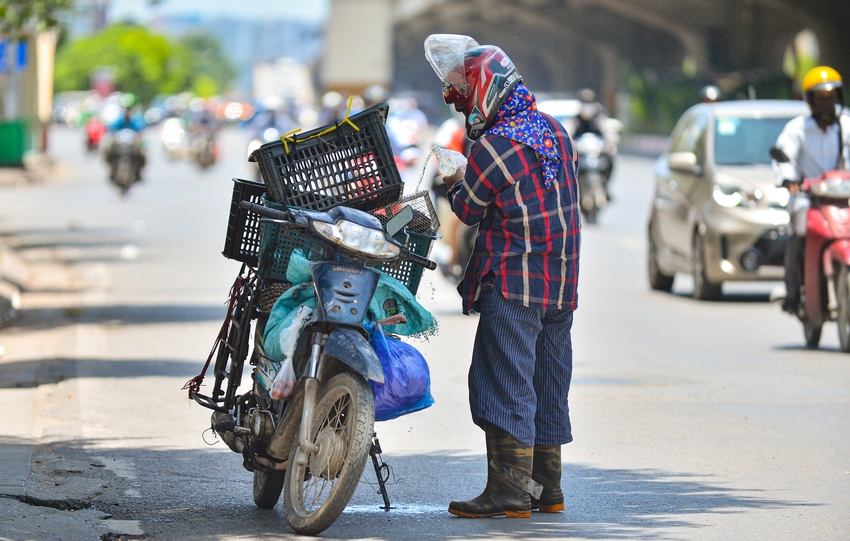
313	446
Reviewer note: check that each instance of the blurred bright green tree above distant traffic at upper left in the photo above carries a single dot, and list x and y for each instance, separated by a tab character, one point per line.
141	62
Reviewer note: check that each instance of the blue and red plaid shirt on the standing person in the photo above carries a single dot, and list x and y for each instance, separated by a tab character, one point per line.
529	235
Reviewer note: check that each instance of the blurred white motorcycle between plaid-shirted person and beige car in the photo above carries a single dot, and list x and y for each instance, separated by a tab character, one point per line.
594	165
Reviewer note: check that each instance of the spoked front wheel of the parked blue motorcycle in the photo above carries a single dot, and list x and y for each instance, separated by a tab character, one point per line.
319	485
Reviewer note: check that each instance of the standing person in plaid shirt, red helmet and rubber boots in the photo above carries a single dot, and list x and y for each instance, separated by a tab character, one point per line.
520	188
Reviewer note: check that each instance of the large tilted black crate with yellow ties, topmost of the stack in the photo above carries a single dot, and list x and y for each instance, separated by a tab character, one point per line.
333	165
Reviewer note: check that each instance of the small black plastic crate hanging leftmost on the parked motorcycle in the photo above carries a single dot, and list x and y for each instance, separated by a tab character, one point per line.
242	242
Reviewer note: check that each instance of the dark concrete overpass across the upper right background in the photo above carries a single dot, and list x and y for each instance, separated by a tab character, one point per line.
563	45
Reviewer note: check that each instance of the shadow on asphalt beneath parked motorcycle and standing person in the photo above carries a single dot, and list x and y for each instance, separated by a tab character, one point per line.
206	495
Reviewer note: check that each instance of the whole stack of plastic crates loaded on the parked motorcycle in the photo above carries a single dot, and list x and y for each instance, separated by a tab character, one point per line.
349	163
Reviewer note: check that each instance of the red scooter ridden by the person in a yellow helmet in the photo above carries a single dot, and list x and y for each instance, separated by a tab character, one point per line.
825	293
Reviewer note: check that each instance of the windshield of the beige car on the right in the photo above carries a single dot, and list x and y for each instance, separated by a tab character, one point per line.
745	141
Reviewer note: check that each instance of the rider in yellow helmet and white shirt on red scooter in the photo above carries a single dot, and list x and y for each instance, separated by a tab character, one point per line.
814	144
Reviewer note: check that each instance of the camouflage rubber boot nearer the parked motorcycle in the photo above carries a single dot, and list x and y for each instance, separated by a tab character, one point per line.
508	480
